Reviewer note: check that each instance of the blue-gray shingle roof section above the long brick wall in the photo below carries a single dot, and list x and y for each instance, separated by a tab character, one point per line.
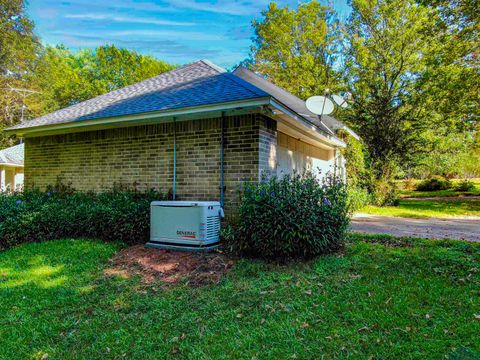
199	83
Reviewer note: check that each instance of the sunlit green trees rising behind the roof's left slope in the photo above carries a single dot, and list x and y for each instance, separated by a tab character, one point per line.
65	78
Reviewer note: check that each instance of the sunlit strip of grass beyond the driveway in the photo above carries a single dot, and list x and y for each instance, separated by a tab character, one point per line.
428	208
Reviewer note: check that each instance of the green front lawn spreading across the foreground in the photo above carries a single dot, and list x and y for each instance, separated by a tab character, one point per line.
382	298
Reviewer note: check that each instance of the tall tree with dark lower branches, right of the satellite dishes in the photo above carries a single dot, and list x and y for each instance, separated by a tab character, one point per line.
386	41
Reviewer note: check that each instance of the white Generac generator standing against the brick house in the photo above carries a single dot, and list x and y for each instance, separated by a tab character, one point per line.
185	225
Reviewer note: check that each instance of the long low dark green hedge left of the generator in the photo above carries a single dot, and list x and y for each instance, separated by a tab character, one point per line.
35	216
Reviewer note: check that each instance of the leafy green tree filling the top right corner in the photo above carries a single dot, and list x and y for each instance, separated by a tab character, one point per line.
453	77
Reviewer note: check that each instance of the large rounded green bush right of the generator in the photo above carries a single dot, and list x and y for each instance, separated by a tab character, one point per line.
292	217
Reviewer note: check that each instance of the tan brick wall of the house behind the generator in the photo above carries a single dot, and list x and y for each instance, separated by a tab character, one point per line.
142	157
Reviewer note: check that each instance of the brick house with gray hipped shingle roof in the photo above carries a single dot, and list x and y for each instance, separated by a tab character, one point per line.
197	131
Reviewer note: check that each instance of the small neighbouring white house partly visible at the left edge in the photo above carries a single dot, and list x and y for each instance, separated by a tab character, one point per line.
11	168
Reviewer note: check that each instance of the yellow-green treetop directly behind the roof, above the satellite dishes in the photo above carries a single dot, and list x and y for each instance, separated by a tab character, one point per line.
298	49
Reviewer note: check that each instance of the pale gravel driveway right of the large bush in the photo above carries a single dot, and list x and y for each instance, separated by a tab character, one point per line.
464	228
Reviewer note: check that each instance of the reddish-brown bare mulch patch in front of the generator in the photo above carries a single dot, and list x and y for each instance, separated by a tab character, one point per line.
170	267
